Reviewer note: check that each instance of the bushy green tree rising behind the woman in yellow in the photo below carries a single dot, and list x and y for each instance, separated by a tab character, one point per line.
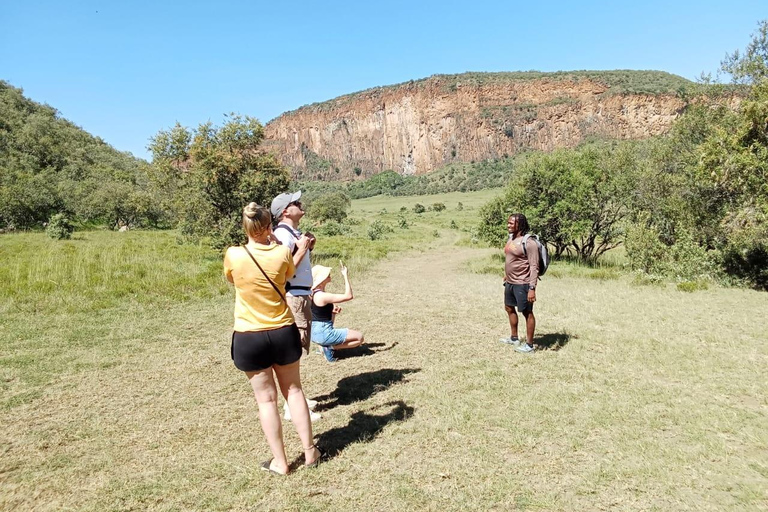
213	172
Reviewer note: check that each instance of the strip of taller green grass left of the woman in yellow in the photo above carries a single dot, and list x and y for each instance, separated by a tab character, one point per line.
102	269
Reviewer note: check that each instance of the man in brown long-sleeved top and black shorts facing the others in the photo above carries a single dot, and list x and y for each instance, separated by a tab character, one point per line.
521	271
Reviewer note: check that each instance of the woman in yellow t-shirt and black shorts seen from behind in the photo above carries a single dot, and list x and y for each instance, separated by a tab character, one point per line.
266	340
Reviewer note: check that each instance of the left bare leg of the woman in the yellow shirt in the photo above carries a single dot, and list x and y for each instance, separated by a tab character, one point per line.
264	389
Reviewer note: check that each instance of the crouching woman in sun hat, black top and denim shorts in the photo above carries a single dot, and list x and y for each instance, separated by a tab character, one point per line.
324	310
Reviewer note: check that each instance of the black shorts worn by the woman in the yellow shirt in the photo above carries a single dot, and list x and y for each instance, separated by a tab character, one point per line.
258	350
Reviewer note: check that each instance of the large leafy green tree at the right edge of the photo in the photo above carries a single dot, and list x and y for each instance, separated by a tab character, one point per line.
701	203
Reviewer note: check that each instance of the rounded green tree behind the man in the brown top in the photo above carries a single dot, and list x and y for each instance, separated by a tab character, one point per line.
575	200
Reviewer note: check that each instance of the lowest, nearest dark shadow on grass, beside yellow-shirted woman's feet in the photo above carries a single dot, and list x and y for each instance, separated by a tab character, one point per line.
363	427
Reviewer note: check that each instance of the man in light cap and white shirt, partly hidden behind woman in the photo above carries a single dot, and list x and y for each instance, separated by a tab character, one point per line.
287	211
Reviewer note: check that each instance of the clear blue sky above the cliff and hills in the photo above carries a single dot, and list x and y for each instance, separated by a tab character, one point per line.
124	70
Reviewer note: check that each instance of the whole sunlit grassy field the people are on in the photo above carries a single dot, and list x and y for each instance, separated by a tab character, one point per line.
118	392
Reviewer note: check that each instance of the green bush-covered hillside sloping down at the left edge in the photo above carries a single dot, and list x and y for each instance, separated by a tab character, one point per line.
49	165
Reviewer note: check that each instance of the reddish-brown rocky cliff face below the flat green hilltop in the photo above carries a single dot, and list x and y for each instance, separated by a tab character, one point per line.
417	127
